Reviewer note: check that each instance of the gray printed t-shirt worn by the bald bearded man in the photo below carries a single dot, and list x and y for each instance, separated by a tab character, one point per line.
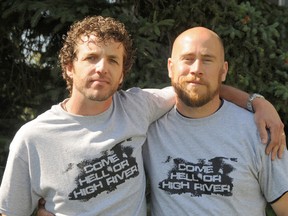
211	166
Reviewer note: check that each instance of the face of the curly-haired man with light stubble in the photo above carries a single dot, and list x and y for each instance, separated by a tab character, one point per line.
97	70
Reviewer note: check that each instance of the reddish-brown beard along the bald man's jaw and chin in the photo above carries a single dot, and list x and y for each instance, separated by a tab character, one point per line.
190	101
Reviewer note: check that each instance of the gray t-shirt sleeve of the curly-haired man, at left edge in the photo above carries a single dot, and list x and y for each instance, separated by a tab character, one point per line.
15	190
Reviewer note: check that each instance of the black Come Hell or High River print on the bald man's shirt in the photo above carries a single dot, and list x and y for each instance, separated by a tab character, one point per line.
204	177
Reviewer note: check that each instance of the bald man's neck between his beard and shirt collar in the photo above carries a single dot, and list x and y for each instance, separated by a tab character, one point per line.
199	112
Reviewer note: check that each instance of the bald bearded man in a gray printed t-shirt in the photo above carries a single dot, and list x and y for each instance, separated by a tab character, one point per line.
205	157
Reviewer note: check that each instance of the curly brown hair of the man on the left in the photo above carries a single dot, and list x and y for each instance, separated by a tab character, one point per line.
105	29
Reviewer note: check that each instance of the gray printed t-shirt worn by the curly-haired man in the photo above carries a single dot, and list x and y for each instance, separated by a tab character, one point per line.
83	165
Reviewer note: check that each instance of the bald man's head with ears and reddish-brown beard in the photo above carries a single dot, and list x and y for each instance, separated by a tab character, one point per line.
197	68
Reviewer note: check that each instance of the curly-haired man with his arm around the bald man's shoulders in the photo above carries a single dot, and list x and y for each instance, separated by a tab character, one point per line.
84	155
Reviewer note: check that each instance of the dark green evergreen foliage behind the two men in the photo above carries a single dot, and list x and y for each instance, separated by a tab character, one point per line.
254	34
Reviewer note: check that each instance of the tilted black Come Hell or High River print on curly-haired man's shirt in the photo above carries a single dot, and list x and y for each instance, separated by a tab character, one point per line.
104	173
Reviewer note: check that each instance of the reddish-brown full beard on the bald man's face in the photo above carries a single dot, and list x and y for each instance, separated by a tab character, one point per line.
193	97
